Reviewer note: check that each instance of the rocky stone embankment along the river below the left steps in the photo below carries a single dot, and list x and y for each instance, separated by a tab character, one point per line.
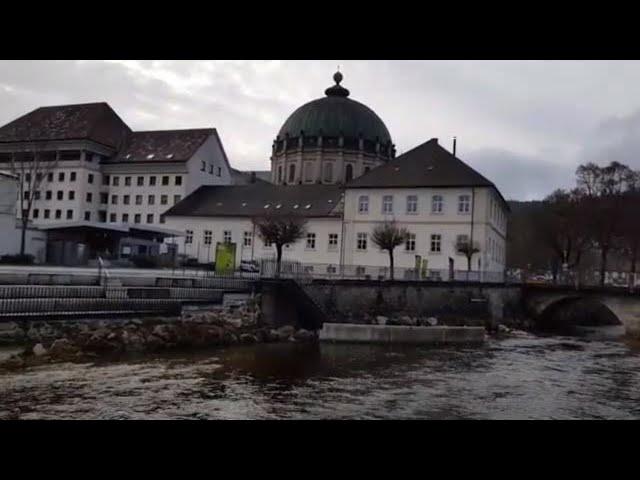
59	341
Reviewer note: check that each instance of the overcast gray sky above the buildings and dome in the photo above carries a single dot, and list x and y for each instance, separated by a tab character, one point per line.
526	125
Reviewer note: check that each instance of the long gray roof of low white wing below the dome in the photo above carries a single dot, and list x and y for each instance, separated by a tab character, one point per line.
250	201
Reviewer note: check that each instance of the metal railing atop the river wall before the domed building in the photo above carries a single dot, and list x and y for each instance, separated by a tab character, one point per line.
305	272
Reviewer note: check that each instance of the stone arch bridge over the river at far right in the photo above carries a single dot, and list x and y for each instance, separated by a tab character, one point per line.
541	301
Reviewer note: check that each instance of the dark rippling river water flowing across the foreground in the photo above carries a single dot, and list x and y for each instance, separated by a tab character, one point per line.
594	375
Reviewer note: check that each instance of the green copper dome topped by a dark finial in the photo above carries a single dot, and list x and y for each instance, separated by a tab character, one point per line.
336	115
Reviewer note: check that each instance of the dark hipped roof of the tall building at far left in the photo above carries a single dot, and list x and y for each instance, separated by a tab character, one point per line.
88	121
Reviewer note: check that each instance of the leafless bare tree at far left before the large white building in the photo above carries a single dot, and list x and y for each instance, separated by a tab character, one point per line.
31	168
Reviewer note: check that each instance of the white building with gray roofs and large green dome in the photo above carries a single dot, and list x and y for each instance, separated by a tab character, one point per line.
333	163
